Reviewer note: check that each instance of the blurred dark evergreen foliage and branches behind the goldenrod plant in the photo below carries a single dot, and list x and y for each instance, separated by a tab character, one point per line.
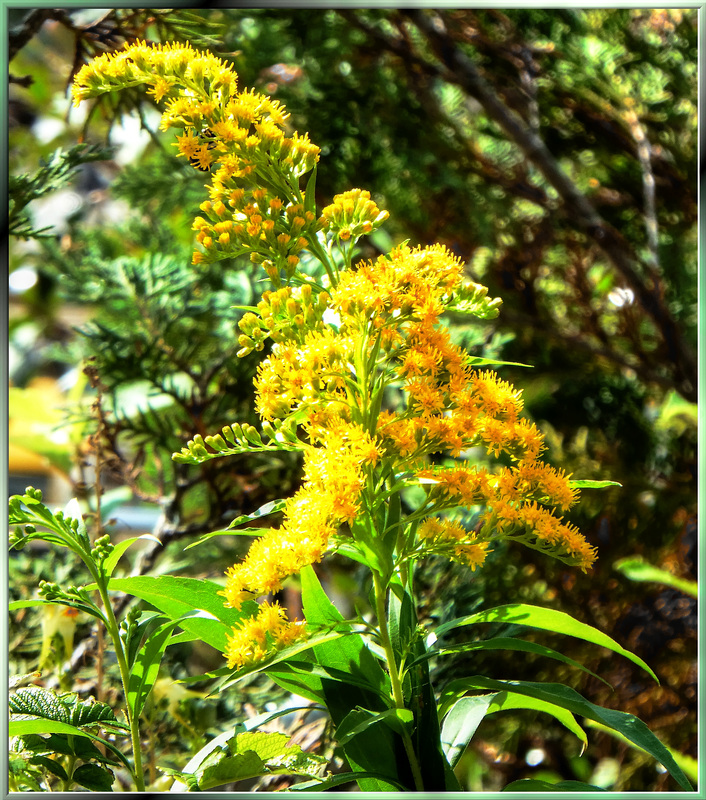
555	151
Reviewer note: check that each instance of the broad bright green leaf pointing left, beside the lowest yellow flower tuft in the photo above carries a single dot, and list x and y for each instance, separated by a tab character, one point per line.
177	597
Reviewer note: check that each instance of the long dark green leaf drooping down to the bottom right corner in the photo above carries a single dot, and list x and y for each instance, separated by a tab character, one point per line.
632	728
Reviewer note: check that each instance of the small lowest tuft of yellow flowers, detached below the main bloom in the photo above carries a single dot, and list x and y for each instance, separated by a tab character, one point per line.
262	635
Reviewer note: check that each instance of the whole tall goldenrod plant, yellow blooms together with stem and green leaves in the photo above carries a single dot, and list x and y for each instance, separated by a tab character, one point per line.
361	376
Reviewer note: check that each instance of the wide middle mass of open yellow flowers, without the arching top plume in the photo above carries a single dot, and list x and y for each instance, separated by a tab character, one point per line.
384	320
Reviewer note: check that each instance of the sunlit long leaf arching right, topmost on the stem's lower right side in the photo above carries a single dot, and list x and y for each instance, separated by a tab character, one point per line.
545	619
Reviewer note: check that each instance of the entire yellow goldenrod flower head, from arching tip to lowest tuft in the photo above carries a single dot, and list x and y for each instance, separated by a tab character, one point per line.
340	355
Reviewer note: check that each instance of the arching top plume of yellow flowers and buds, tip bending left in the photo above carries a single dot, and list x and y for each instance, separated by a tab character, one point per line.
237	136
